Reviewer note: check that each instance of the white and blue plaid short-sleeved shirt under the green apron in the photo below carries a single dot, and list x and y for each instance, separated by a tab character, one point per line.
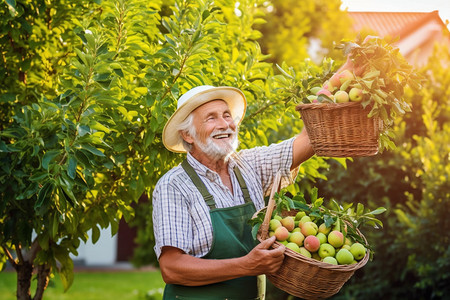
180	215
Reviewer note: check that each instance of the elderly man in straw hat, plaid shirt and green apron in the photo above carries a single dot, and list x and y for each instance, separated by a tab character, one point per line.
201	207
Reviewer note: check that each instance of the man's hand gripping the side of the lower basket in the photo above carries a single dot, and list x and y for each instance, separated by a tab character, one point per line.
263	260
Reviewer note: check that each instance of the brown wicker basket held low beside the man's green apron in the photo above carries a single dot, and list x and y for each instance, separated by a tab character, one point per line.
308	278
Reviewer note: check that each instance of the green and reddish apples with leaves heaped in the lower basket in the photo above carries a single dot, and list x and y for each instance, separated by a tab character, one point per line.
318	232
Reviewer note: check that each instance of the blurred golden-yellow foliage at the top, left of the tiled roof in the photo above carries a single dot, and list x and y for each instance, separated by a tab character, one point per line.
295	28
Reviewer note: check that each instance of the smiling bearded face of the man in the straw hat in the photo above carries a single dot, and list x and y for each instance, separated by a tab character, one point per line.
216	133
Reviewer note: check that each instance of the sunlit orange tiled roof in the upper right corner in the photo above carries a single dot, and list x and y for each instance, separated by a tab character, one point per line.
394	24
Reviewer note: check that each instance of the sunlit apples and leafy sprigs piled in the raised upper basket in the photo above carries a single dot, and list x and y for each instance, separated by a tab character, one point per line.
378	77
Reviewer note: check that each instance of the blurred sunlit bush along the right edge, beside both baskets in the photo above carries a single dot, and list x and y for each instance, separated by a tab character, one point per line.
411	182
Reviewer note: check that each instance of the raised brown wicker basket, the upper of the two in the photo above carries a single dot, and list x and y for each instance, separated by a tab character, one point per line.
341	129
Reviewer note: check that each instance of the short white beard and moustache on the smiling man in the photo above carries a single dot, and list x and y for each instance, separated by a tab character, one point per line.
215	151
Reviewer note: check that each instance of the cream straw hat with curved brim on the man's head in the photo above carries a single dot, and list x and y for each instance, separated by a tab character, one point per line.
193	99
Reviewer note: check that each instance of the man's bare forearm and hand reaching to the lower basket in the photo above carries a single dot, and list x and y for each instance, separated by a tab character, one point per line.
180	268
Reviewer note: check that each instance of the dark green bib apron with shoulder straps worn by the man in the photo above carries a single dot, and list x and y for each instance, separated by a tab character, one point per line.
231	238
